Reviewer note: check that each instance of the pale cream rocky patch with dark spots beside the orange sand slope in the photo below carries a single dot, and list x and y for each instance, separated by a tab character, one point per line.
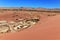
13	26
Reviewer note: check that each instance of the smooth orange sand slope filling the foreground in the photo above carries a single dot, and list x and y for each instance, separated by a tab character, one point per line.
46	29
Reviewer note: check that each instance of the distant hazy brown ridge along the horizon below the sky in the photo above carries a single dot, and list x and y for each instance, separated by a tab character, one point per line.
31	9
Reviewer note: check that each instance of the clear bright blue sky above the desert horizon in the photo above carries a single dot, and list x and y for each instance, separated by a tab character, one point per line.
30	3
